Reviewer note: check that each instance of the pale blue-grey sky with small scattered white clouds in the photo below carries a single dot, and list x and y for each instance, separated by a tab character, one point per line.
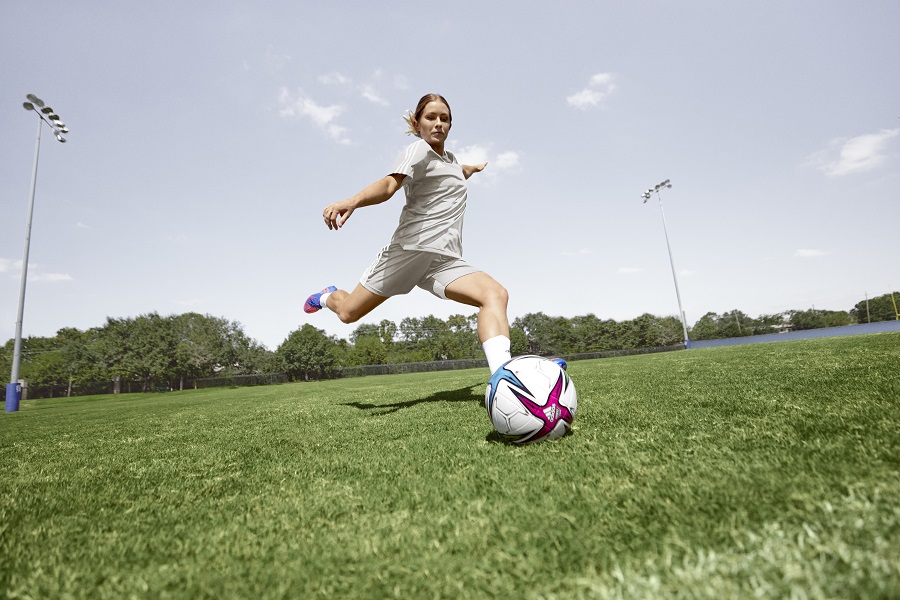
206	137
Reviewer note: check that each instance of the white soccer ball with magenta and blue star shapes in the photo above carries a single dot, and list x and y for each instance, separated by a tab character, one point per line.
531	399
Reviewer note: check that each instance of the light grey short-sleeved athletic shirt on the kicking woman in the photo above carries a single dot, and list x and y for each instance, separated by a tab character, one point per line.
431	220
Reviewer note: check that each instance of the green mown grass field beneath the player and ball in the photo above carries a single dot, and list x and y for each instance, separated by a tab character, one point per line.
762	471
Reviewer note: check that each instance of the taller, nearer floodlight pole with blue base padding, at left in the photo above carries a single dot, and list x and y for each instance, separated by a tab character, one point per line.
45	115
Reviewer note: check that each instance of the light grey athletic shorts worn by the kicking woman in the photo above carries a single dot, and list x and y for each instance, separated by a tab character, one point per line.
397	271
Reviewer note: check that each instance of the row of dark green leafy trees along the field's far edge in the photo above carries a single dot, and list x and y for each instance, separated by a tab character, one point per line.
170	352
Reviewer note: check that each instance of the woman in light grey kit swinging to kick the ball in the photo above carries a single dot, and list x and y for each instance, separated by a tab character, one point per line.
426	248
